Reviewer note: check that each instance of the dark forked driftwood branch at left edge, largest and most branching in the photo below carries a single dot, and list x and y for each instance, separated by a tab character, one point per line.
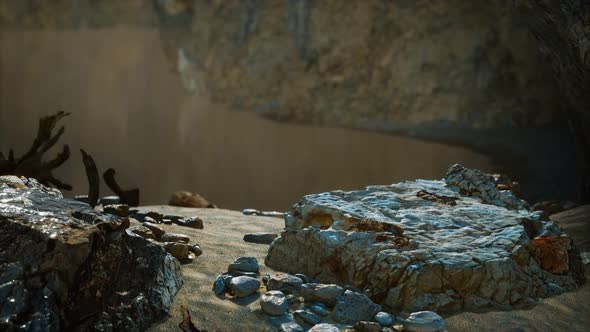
31	164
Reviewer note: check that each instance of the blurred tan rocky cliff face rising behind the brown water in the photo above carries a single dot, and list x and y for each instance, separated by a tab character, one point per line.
389	65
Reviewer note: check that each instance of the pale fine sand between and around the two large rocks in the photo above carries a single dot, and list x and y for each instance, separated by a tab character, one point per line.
221	241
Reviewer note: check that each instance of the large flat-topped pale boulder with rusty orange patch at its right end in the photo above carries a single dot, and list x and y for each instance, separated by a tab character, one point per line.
429	245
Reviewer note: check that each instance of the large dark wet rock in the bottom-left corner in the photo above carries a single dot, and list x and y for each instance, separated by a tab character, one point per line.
65	266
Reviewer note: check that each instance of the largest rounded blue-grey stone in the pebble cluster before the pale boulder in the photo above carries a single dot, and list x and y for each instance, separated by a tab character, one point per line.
352	307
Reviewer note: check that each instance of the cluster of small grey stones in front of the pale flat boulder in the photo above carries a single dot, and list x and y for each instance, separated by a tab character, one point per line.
296	303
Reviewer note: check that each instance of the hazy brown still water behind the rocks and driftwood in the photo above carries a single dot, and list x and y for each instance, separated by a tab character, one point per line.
131	113
